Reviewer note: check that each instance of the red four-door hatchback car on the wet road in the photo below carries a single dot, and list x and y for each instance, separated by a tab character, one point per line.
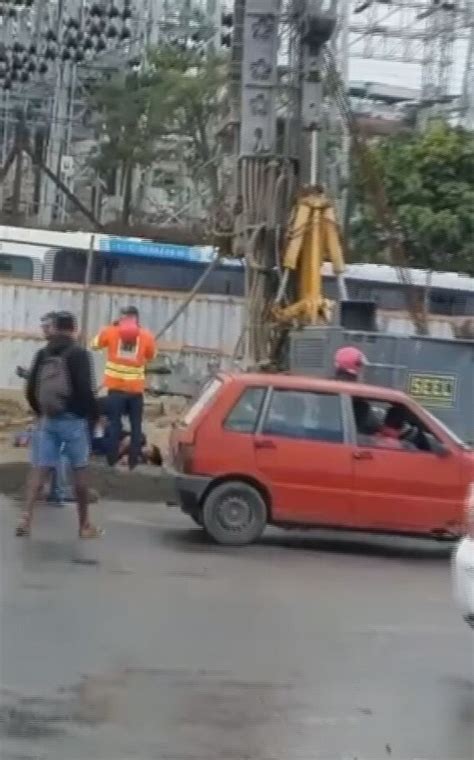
257	449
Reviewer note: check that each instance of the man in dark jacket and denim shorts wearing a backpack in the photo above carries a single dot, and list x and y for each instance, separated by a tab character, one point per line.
60	391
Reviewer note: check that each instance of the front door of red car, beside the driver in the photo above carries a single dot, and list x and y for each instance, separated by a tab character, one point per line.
406	489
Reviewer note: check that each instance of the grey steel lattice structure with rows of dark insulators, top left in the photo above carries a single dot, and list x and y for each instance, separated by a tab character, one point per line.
43	74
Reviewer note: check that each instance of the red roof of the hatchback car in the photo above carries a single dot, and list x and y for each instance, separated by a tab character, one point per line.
305	382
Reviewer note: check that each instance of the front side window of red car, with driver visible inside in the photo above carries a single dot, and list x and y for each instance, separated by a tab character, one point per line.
388	425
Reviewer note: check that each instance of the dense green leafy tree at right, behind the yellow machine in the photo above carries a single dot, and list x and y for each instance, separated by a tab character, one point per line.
429	182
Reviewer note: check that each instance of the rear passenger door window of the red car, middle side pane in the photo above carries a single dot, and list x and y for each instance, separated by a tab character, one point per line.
305	415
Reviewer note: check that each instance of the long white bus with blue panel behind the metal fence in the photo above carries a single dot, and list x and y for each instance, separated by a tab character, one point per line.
133	262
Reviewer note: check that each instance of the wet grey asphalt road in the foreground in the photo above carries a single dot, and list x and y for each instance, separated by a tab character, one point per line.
153	644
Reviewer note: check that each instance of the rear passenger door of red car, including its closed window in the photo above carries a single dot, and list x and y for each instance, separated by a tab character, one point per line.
302	456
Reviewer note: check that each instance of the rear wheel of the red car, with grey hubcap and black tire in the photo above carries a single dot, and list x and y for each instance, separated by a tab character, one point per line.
234	514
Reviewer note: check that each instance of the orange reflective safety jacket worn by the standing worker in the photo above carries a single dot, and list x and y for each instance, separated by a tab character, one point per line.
125	365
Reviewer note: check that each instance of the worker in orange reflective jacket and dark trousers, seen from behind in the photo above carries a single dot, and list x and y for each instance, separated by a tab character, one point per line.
129	348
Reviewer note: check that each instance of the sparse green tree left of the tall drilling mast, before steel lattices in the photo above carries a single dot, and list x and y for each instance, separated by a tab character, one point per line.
176	95
